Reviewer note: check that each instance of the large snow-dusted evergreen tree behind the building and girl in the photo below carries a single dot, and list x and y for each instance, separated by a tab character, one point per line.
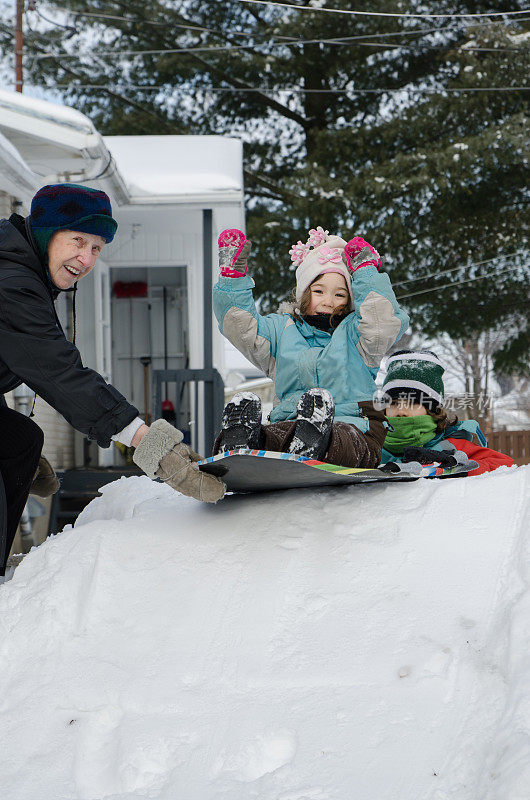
387	127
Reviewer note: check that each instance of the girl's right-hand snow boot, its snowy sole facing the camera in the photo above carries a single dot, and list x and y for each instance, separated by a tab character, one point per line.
314	419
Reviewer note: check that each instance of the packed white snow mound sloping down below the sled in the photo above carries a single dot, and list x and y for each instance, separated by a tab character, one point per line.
362	643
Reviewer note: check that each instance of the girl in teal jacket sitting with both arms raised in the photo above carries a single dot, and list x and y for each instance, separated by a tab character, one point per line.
323	351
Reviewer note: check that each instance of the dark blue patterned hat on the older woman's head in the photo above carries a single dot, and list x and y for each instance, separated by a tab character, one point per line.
68	206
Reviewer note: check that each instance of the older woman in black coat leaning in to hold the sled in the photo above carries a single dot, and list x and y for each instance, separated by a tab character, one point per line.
41	256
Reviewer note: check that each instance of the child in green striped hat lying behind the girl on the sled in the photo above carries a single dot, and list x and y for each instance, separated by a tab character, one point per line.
414	391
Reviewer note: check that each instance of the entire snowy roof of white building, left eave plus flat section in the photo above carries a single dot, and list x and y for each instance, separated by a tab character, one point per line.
52	140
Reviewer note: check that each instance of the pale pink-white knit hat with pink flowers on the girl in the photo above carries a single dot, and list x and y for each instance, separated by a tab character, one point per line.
321	253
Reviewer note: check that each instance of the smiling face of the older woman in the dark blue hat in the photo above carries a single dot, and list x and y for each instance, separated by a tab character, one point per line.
72	255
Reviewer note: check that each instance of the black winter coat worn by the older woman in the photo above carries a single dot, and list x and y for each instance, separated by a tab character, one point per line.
34	349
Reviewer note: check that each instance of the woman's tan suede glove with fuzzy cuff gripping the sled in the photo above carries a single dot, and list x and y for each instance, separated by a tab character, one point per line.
162	454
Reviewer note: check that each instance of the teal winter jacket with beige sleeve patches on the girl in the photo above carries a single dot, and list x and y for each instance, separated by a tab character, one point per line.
299	357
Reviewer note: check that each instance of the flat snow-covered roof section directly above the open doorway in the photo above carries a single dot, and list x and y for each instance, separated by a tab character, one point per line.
173	168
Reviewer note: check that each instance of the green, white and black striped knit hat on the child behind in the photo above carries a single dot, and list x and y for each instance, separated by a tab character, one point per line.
416	375
